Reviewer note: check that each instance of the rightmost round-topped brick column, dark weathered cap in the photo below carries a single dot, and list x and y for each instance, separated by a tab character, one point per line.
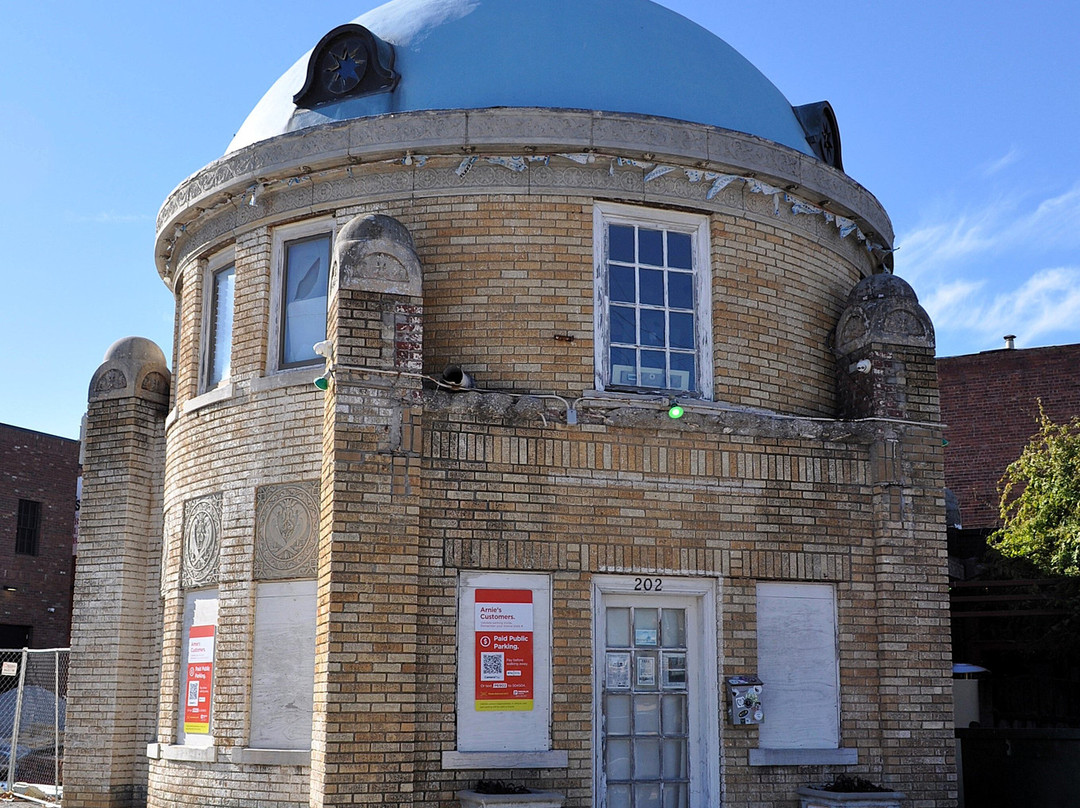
885	346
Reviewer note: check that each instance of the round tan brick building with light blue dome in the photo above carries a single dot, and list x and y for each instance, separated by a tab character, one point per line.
485	546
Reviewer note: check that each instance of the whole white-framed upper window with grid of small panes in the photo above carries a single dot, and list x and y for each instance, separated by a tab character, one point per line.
653	301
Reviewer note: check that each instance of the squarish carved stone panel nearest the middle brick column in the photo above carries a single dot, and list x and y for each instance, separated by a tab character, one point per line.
287	531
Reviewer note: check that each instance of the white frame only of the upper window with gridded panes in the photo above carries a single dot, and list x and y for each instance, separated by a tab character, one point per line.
697	227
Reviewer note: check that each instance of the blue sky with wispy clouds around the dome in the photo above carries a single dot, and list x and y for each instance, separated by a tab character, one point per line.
962	117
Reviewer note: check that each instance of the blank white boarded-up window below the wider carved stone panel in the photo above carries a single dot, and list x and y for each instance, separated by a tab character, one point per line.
285	670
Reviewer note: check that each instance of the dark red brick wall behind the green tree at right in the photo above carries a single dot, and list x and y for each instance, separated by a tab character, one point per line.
990	406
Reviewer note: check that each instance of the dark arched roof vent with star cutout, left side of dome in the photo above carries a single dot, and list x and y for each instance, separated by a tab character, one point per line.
348	62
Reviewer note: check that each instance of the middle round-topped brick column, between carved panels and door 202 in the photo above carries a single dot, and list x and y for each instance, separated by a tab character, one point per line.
367	644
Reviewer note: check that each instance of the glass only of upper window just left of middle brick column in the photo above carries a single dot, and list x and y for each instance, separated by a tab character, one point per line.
305	282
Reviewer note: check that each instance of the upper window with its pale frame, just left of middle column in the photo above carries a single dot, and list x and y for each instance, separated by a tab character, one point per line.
303	255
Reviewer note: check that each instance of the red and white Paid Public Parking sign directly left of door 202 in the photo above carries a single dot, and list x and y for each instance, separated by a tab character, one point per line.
504	650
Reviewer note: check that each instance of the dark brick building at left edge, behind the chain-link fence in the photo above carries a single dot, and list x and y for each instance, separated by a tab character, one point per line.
39	477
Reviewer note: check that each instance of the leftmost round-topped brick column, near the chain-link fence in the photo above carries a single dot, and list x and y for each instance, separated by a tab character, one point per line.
113	685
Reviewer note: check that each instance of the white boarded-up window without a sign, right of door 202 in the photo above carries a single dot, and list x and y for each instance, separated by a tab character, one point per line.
798	662
